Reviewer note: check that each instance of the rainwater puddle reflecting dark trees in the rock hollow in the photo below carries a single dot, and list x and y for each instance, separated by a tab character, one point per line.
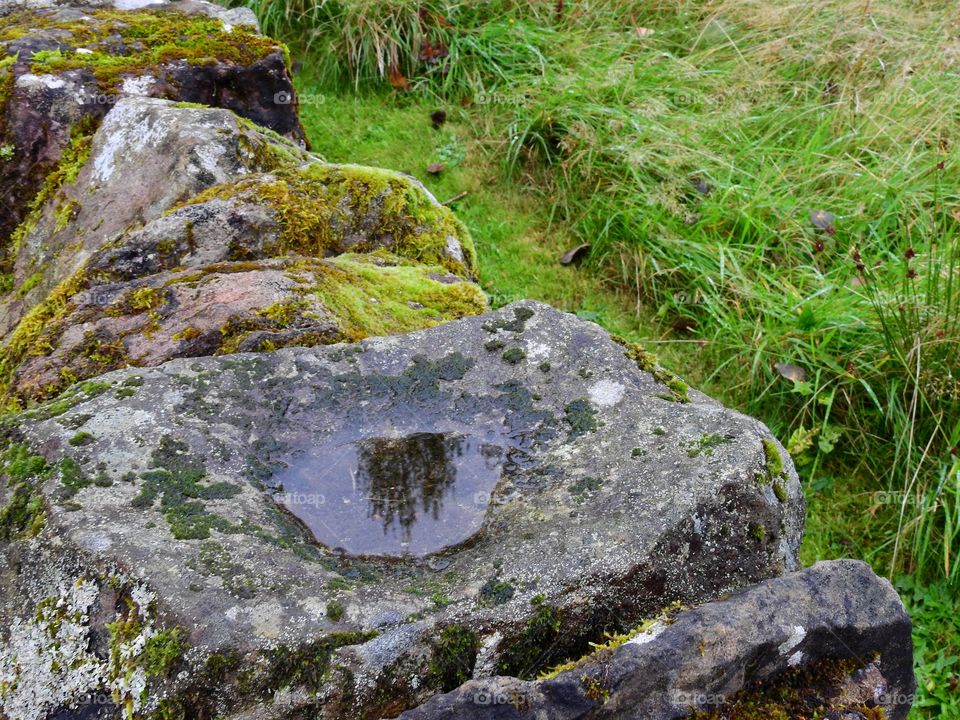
410	495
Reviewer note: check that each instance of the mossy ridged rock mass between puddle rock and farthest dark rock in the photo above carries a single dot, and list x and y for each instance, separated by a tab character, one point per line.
170	195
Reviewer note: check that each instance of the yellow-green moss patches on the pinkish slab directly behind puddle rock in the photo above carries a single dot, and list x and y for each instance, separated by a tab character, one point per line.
366	295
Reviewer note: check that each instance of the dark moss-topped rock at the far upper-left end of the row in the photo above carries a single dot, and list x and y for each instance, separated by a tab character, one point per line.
64	65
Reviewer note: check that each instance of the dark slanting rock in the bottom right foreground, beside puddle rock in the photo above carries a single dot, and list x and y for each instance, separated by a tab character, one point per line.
833	640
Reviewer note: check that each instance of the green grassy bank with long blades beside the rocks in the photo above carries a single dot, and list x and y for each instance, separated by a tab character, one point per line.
770	193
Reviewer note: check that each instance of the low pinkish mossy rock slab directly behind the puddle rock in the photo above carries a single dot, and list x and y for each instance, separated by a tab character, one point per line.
235	307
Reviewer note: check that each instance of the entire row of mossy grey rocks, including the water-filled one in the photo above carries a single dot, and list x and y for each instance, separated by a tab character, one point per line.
265	457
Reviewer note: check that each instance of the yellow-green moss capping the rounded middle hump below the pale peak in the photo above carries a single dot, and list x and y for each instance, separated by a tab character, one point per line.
311	201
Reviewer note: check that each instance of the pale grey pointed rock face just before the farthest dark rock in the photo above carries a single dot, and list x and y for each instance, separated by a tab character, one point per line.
147	155
